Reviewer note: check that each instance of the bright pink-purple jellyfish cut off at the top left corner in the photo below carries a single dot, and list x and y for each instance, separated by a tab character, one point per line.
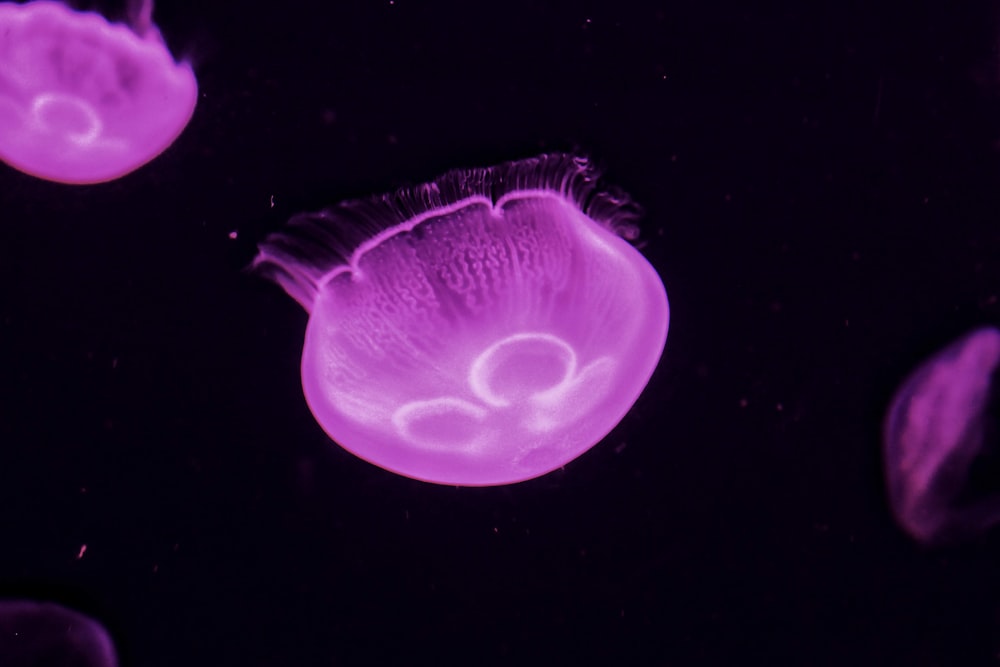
83	100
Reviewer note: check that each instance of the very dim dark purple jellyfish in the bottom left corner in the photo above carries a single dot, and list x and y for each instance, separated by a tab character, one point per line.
35	634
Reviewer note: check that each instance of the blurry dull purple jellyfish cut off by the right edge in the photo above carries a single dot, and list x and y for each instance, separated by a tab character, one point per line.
941	444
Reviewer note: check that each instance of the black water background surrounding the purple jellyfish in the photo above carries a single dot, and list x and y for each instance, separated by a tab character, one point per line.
821	191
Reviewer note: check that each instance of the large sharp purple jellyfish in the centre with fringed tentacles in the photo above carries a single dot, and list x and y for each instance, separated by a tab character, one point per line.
482	329
